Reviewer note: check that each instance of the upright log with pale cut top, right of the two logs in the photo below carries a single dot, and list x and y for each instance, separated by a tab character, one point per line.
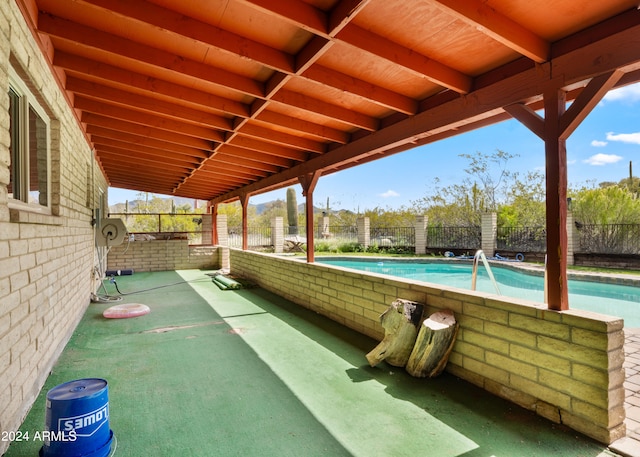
433	345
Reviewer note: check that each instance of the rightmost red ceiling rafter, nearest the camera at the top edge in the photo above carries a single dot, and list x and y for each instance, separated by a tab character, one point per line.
483	17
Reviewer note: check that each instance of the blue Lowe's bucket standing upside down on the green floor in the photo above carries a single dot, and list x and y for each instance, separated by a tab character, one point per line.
77	420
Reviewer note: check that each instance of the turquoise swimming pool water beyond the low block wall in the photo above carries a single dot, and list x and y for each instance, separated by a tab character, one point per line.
618	300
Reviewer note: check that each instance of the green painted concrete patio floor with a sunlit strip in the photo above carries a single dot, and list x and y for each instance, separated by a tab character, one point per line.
246	373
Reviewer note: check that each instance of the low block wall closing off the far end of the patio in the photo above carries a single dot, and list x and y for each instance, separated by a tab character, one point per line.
161	255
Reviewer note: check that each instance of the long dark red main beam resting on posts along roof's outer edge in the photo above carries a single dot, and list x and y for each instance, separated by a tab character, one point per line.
601	56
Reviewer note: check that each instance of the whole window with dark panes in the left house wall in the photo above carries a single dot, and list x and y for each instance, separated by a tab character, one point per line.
30	167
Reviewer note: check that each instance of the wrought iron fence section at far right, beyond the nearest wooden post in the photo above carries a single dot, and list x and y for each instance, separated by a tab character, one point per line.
609	239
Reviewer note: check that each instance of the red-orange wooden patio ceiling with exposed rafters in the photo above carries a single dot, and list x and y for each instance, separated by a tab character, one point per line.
215	99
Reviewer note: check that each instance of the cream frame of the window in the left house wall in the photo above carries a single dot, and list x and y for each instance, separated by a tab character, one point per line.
26	101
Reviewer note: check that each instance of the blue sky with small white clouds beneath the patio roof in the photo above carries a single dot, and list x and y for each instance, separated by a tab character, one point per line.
599	150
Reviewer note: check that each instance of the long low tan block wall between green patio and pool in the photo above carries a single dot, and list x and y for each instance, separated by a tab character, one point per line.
565	366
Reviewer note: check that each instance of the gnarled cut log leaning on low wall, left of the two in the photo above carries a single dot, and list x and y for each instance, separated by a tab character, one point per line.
400	323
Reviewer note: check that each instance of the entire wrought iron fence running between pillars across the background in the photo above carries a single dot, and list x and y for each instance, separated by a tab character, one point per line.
597	239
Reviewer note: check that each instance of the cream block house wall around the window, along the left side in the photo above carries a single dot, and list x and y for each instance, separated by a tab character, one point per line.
46	260
